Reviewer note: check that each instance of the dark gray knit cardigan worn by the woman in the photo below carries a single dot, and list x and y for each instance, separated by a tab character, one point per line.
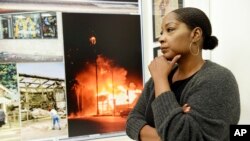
213	96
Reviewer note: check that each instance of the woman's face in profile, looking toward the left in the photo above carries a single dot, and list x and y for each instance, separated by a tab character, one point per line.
175	37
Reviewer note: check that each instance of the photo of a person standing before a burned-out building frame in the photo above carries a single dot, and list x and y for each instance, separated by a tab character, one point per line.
42	101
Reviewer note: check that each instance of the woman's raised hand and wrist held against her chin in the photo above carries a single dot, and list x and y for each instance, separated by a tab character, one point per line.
159	69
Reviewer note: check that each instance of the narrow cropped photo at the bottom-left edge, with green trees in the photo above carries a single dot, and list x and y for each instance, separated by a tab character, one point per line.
9	103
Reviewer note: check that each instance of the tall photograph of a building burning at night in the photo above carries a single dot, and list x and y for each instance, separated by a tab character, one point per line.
103	66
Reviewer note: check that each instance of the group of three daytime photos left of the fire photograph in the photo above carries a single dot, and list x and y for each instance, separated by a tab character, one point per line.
32	77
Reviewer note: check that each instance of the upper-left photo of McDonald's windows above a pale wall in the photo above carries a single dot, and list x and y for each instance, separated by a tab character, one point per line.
30	36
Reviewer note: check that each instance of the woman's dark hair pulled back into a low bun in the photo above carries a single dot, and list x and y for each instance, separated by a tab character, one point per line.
193	18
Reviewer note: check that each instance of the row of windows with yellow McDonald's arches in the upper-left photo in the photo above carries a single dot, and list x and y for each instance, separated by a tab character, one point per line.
28	25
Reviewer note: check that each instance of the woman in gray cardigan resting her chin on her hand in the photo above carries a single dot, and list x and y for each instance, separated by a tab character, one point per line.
187	98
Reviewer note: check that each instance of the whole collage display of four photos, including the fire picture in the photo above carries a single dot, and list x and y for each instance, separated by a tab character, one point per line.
62	78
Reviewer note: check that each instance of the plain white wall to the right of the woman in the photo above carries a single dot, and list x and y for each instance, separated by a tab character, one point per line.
231	20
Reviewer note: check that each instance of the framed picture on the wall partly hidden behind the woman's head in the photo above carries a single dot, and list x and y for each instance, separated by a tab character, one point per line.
160	9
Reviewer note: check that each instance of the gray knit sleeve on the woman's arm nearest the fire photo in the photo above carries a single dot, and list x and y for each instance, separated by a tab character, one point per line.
136	119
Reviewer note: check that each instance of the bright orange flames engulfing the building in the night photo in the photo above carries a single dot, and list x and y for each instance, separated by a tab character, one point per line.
115	91
